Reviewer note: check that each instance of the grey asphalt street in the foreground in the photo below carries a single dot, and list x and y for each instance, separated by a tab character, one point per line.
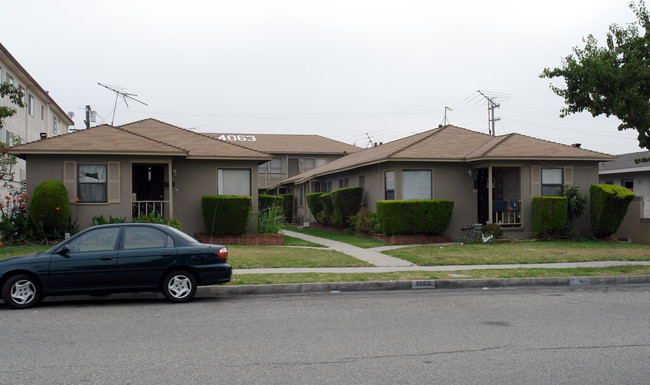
541	335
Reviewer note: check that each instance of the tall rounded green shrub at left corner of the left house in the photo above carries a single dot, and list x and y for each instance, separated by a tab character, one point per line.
49	204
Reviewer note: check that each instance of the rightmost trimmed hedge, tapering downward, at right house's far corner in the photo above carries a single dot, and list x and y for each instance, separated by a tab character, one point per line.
609	204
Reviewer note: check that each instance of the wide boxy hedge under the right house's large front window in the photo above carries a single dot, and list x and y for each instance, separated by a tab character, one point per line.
414	216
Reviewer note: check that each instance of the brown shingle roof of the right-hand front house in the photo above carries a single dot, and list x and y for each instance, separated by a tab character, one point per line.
451	143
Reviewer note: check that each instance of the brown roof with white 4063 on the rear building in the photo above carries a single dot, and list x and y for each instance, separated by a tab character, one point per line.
289	143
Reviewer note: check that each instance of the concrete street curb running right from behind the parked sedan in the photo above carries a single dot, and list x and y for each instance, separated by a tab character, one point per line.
304	288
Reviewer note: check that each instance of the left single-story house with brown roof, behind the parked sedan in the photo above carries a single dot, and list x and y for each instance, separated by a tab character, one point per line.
142	167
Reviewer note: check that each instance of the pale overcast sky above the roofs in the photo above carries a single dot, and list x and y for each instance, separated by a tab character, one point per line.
342	69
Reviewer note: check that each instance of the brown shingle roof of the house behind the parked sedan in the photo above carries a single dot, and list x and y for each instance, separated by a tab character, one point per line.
146	137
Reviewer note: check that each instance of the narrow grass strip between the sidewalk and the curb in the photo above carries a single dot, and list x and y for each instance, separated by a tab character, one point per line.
266	279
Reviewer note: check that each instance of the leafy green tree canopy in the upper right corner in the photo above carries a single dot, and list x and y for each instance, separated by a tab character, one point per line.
611	80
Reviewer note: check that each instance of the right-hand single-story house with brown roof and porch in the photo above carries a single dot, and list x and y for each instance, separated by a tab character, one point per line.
491	179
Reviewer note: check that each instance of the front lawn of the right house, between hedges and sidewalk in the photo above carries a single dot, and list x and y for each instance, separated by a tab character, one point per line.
521	252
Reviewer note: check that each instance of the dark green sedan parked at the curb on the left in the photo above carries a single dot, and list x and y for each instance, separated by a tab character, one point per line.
126	257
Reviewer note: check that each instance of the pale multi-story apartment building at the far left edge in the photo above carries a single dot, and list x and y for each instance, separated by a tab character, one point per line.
41	117
